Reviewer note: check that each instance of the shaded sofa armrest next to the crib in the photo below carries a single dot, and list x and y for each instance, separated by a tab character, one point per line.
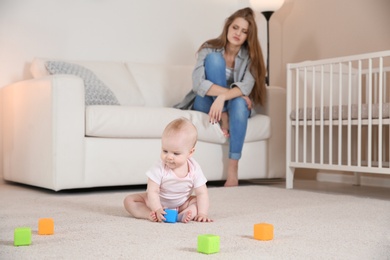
275	108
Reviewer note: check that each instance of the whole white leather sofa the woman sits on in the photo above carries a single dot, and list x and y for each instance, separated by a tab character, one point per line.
53	140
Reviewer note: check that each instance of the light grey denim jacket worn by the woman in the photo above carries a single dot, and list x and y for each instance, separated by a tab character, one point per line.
200	85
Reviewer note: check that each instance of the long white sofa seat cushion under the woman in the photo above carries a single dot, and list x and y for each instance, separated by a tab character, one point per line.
149	122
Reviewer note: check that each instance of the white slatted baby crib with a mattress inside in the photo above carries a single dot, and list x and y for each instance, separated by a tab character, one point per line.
338	115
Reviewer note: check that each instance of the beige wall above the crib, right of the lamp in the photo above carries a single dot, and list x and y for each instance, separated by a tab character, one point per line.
318	29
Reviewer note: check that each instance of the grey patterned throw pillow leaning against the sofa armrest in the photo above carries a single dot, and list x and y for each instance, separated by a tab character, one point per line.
96	92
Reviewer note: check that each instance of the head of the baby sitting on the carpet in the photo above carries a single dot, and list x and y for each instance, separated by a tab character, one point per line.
178	142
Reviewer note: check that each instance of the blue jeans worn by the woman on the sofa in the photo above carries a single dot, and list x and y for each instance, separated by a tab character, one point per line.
237	109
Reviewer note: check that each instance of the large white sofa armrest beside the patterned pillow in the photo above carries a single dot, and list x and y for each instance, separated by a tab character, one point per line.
43	137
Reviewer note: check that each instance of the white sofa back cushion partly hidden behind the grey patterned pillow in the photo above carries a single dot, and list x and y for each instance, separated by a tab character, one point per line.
114	74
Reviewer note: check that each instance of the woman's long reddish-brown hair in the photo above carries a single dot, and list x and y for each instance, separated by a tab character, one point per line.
257	67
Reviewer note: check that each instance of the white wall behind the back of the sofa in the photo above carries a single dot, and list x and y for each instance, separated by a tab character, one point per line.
146	31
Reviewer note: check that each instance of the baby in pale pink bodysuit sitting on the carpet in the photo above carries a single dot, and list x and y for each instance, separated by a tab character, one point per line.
172	181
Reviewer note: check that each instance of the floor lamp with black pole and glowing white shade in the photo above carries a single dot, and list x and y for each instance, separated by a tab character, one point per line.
267	8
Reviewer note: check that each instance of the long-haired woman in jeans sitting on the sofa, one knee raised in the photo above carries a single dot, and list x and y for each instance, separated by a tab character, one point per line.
229	76
